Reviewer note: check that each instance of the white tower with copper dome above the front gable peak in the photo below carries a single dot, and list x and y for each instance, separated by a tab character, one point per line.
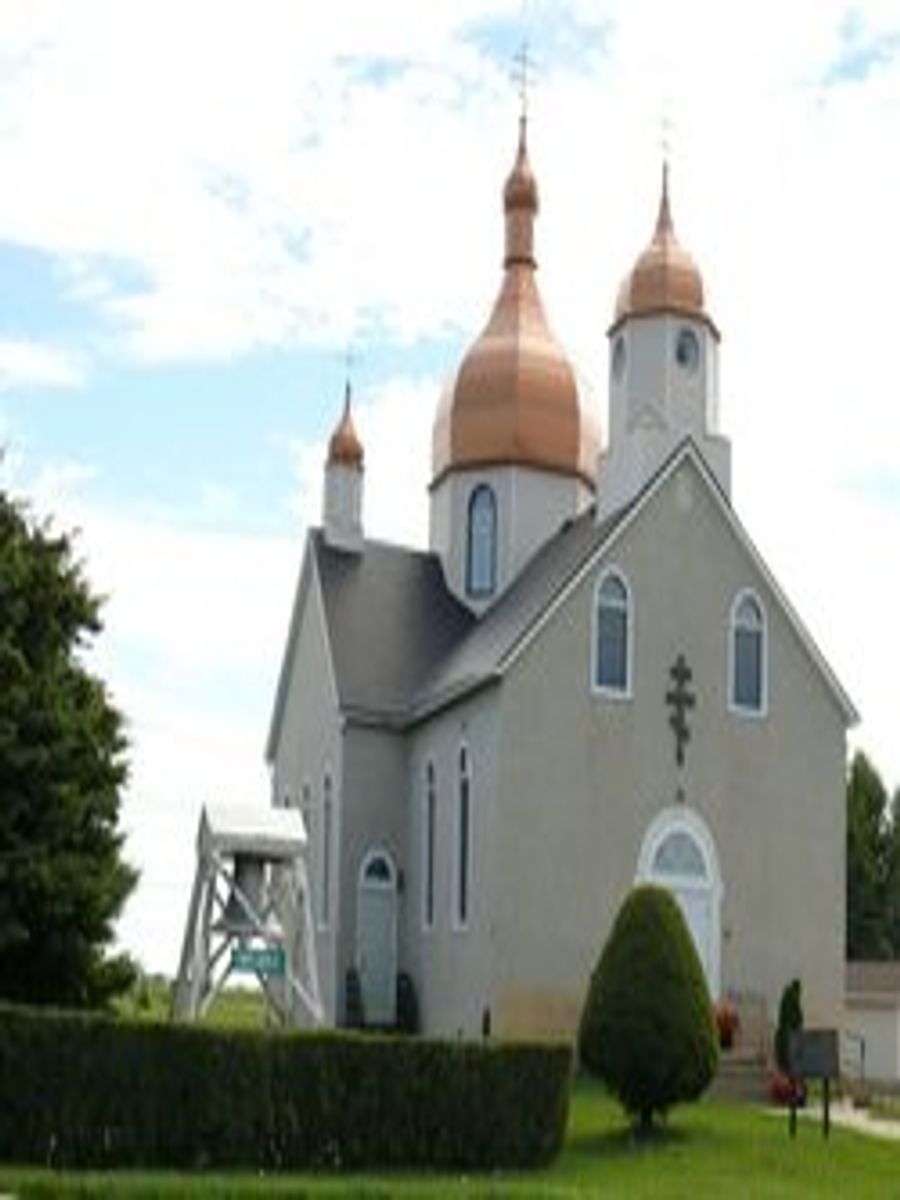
664	370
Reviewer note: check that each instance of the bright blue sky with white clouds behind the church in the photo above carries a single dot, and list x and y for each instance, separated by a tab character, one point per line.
212	213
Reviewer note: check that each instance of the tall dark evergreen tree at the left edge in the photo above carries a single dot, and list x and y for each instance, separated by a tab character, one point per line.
63	879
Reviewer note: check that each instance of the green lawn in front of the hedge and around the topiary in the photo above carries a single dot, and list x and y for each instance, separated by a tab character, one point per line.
709	1150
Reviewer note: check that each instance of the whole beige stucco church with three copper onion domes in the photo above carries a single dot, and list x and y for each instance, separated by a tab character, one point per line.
590	680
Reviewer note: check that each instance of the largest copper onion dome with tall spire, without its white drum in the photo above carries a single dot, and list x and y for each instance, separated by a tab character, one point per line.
514	399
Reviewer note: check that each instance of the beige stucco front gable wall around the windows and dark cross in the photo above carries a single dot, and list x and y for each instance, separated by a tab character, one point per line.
583	777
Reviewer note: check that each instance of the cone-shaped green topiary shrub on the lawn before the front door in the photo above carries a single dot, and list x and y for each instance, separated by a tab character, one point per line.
649	1029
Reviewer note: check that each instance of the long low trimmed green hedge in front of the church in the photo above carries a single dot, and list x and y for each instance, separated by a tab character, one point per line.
83	1090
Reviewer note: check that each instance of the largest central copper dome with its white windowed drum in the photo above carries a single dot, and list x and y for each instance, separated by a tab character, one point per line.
514	448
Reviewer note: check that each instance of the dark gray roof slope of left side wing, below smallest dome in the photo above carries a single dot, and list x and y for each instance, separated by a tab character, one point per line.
391	621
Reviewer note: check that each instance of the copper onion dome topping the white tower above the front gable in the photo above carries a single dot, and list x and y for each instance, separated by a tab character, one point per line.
665	278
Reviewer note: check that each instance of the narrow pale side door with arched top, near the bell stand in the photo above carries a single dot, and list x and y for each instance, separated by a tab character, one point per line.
377	938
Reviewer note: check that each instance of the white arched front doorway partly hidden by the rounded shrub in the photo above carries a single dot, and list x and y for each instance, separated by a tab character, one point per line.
679	854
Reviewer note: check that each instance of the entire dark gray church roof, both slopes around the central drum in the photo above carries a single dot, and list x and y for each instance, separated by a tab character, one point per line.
404	646
